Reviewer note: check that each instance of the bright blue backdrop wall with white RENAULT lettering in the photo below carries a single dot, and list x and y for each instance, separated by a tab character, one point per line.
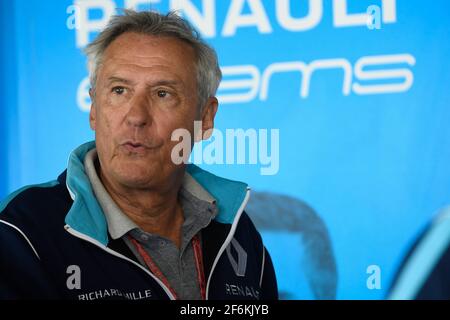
361	112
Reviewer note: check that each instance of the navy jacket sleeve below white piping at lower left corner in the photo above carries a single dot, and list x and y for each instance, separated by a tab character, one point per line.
21	272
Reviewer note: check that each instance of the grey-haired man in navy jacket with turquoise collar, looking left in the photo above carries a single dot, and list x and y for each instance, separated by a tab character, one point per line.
127	220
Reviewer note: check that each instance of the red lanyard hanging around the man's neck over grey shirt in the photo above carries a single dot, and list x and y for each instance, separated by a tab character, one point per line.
157	272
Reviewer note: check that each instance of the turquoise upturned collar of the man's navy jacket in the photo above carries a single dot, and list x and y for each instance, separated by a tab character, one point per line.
86	215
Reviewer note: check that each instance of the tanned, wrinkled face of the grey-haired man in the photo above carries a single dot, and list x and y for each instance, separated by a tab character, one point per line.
146	88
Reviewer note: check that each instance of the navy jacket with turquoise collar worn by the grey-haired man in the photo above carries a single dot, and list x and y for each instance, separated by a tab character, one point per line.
54	244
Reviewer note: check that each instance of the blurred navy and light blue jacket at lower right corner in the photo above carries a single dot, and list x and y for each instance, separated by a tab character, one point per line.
425	271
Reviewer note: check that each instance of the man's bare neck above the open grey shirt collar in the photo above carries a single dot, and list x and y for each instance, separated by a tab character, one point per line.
155	211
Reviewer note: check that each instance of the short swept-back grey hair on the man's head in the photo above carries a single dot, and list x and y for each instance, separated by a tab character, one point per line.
156	24
